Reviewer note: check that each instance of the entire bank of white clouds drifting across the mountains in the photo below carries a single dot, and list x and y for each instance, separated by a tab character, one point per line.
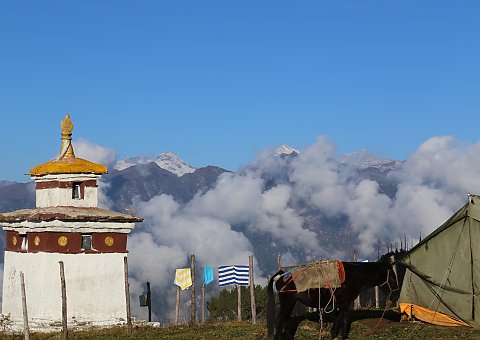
432	184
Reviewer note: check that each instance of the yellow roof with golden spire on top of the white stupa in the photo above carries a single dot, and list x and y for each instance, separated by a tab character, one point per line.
66	162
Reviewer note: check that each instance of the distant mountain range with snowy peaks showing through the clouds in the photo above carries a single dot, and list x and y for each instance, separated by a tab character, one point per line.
142	178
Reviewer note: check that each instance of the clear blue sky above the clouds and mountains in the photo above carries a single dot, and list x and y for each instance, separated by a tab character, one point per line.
218	81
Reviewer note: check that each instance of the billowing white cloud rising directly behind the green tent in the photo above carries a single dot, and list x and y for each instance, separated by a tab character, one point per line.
433	184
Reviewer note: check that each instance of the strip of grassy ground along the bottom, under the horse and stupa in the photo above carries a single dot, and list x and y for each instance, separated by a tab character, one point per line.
361	329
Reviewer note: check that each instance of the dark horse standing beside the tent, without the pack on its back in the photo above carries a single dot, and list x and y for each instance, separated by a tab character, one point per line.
359	276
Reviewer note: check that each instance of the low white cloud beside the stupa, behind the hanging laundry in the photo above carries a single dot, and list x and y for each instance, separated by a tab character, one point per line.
169	235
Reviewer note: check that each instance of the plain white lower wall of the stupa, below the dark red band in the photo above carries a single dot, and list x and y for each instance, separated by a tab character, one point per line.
94	284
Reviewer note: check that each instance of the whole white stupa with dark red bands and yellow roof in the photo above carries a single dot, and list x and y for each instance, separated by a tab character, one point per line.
67	226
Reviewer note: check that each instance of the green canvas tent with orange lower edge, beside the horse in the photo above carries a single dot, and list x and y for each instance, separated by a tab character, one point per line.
442	281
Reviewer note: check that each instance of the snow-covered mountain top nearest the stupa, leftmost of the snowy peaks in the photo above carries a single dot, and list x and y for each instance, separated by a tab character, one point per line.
167	160
